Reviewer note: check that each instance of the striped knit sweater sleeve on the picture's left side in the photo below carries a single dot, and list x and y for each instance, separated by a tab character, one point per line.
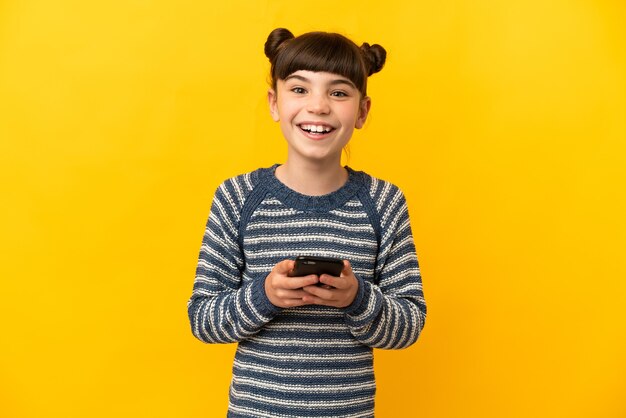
223	307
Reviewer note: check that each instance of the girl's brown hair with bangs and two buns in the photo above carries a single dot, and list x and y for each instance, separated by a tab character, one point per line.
322	51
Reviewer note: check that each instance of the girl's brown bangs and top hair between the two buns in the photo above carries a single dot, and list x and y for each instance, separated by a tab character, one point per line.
323	52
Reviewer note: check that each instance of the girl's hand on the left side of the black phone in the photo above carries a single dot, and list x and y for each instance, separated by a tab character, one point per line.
284	291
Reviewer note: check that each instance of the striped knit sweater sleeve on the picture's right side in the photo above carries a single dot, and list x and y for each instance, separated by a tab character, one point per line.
390	313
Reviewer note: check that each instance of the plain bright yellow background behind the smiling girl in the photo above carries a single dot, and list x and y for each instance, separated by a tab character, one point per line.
503	121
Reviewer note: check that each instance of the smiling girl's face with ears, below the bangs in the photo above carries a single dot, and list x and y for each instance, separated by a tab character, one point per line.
318	112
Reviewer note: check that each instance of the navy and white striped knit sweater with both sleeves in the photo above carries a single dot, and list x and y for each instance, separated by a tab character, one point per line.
310	361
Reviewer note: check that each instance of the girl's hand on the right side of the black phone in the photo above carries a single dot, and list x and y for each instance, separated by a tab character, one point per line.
337	291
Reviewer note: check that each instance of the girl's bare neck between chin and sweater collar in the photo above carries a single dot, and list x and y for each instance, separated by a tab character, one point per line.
312	179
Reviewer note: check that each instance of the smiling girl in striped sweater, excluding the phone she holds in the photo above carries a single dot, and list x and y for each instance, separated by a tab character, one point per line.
305	343
